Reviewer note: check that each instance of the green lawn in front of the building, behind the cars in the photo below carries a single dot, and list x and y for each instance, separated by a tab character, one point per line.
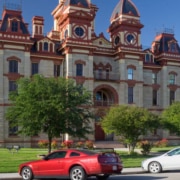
10	161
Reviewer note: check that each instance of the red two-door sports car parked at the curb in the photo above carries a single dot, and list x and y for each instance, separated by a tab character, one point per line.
76	164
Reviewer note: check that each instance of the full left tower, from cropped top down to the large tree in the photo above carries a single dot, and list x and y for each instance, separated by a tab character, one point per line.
74	21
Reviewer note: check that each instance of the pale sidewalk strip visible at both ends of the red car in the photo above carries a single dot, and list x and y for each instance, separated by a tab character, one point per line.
16	176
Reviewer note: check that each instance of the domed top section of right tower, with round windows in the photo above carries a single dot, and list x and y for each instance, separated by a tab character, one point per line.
125	28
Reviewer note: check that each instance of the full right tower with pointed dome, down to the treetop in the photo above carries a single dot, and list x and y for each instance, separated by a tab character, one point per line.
125	33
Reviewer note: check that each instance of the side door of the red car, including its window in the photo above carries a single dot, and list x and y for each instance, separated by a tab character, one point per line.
53	164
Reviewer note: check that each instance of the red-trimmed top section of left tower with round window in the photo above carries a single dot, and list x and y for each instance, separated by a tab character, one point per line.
74	19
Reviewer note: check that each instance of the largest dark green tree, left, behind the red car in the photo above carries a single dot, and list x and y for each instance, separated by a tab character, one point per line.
50	105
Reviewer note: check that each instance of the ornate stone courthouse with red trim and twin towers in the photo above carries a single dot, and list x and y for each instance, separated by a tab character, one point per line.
115	71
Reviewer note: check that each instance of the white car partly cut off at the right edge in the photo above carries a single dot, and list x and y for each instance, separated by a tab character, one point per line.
167	161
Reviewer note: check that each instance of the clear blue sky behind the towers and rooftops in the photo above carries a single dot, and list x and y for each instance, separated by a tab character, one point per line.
155	15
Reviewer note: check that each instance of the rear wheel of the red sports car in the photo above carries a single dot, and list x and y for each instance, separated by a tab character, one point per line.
78	173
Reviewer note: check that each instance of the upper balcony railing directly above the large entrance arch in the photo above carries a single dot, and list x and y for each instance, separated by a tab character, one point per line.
106	76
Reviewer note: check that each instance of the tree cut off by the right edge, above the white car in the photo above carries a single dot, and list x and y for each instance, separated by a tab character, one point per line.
171	118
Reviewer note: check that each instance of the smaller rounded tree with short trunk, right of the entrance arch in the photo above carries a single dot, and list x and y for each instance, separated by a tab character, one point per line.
129	122
